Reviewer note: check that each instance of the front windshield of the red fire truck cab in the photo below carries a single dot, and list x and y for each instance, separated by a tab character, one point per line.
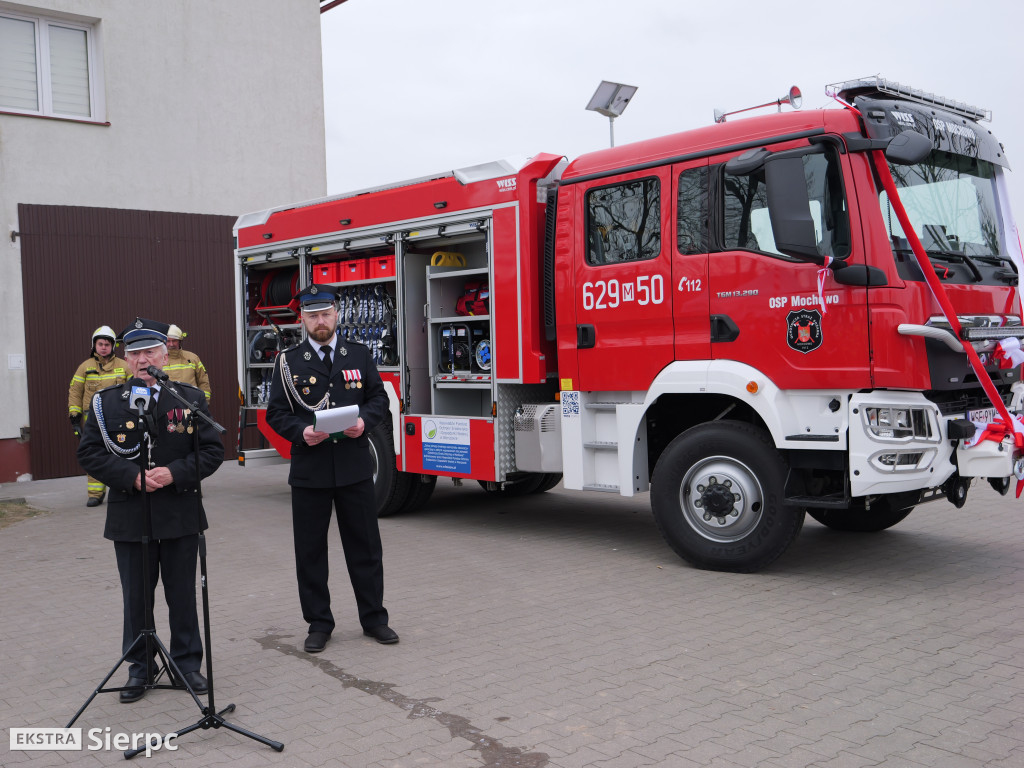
951	200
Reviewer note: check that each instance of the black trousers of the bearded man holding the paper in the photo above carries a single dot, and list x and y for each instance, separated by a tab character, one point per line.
361	540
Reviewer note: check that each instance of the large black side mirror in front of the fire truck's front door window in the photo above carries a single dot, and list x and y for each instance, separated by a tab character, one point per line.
790	209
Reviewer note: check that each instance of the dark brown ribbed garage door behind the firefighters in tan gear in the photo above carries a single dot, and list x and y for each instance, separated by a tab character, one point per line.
86	268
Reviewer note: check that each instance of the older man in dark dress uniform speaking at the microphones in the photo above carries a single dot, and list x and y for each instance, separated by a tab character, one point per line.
110	451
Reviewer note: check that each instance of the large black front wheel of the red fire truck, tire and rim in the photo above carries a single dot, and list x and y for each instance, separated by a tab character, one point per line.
732	468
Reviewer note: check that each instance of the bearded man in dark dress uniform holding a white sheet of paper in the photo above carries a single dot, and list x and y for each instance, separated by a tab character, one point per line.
327	471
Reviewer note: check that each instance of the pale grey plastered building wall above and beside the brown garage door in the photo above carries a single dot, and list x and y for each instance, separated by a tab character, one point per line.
215	107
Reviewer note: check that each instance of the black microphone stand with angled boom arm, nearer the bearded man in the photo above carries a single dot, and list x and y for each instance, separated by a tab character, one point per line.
211	718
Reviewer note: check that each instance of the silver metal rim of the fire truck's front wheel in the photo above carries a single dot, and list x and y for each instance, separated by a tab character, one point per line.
721	499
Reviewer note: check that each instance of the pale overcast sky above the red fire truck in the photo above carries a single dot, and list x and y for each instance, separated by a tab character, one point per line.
415	88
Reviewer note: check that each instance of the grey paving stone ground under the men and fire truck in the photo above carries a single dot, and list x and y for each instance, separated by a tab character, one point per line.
554	631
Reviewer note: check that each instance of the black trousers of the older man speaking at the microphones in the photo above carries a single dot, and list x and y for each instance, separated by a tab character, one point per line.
174	562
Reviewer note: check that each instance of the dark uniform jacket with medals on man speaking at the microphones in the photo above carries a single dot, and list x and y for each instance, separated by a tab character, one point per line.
176	510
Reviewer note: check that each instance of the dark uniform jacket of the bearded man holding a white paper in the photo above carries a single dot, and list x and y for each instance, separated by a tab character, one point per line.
339	461
